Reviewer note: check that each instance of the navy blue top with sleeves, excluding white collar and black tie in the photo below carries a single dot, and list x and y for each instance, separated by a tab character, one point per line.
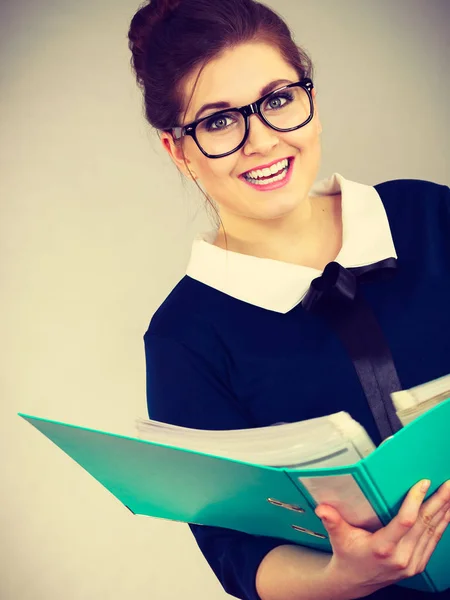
216	362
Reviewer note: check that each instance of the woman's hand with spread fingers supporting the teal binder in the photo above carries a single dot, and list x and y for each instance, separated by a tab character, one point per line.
363	562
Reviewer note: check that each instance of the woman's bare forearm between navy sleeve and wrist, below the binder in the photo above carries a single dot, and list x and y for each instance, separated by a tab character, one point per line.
291	572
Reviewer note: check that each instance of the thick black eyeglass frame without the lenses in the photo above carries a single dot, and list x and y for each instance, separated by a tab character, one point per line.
246	111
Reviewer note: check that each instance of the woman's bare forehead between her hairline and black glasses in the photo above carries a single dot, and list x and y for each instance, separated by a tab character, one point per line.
237	76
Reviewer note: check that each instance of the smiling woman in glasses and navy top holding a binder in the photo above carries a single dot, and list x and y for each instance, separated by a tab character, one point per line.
243	340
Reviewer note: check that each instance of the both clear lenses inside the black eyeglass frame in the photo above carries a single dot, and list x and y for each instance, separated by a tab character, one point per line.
225	131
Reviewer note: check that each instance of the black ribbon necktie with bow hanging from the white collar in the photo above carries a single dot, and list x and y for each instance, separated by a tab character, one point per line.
335	295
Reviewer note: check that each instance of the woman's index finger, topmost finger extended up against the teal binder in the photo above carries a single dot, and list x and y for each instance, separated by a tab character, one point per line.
403	522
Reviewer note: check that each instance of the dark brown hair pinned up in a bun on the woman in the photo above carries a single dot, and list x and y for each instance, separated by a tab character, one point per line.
170	39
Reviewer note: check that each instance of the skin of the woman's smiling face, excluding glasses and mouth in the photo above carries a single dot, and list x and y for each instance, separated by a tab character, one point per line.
238	77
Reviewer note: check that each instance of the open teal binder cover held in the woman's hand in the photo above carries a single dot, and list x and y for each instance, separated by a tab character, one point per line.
166	482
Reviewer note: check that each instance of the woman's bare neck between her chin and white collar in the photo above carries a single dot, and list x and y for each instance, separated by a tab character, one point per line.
310	236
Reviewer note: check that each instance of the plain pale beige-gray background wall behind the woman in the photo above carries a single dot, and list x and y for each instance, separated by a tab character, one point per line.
96	228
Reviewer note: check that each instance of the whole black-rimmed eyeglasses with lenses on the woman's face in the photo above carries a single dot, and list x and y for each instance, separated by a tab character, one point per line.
286	109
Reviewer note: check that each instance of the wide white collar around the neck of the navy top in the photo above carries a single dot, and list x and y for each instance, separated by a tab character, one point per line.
280	286
